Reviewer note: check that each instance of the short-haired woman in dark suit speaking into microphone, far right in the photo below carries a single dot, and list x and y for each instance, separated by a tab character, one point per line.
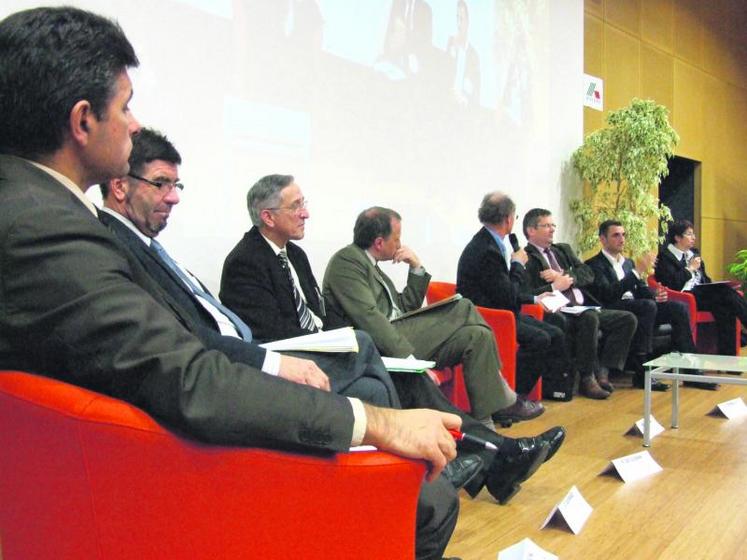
680	267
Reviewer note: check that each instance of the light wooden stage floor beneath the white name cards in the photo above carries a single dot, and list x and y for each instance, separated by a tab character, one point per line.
695	509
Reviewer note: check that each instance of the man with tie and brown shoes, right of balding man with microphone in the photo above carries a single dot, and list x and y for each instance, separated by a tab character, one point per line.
555	267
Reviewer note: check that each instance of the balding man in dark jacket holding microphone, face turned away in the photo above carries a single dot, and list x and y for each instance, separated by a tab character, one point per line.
492	274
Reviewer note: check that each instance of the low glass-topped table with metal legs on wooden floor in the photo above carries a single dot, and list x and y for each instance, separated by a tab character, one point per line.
669	365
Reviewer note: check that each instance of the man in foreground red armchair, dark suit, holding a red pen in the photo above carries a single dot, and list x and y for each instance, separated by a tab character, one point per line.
78	306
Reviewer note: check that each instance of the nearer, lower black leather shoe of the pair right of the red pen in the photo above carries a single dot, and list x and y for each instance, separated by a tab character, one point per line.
508	471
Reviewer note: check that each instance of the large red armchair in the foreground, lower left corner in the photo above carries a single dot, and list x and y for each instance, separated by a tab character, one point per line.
83	475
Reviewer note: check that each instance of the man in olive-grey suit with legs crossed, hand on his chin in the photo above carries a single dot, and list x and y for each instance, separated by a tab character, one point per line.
357	292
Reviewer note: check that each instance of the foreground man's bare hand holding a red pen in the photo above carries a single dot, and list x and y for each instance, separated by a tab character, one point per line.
414	433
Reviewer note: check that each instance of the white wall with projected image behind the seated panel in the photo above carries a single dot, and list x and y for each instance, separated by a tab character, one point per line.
248	88
